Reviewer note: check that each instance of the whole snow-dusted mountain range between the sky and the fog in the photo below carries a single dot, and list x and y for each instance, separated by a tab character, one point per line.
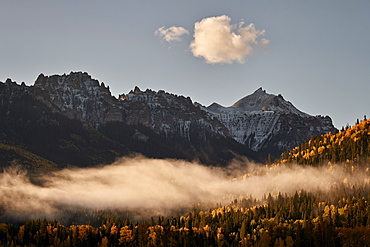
73	120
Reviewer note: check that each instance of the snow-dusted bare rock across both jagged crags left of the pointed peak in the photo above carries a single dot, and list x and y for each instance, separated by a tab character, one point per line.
80	97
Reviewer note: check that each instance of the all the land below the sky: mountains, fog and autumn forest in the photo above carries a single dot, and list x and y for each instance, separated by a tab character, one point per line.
81	167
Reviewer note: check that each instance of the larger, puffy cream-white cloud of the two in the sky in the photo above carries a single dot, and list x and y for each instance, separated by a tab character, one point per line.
217	41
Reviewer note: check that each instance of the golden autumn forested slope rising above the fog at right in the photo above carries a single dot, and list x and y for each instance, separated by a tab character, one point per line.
351	144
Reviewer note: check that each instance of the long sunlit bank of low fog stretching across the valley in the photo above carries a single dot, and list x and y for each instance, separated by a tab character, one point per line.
160	186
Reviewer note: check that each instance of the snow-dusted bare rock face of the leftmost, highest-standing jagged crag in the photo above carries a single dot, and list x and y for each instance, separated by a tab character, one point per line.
78	96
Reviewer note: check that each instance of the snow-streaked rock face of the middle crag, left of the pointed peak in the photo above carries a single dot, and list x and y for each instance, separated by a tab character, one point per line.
168	114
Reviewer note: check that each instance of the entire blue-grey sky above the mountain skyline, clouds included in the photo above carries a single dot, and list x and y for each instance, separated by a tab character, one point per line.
315	53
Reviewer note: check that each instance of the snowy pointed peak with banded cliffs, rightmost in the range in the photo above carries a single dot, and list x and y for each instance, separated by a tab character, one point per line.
268	124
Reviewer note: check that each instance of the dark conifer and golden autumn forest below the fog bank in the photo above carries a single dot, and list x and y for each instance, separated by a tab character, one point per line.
303	219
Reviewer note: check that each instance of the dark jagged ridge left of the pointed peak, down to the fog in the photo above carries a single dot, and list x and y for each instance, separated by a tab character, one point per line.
74	120
